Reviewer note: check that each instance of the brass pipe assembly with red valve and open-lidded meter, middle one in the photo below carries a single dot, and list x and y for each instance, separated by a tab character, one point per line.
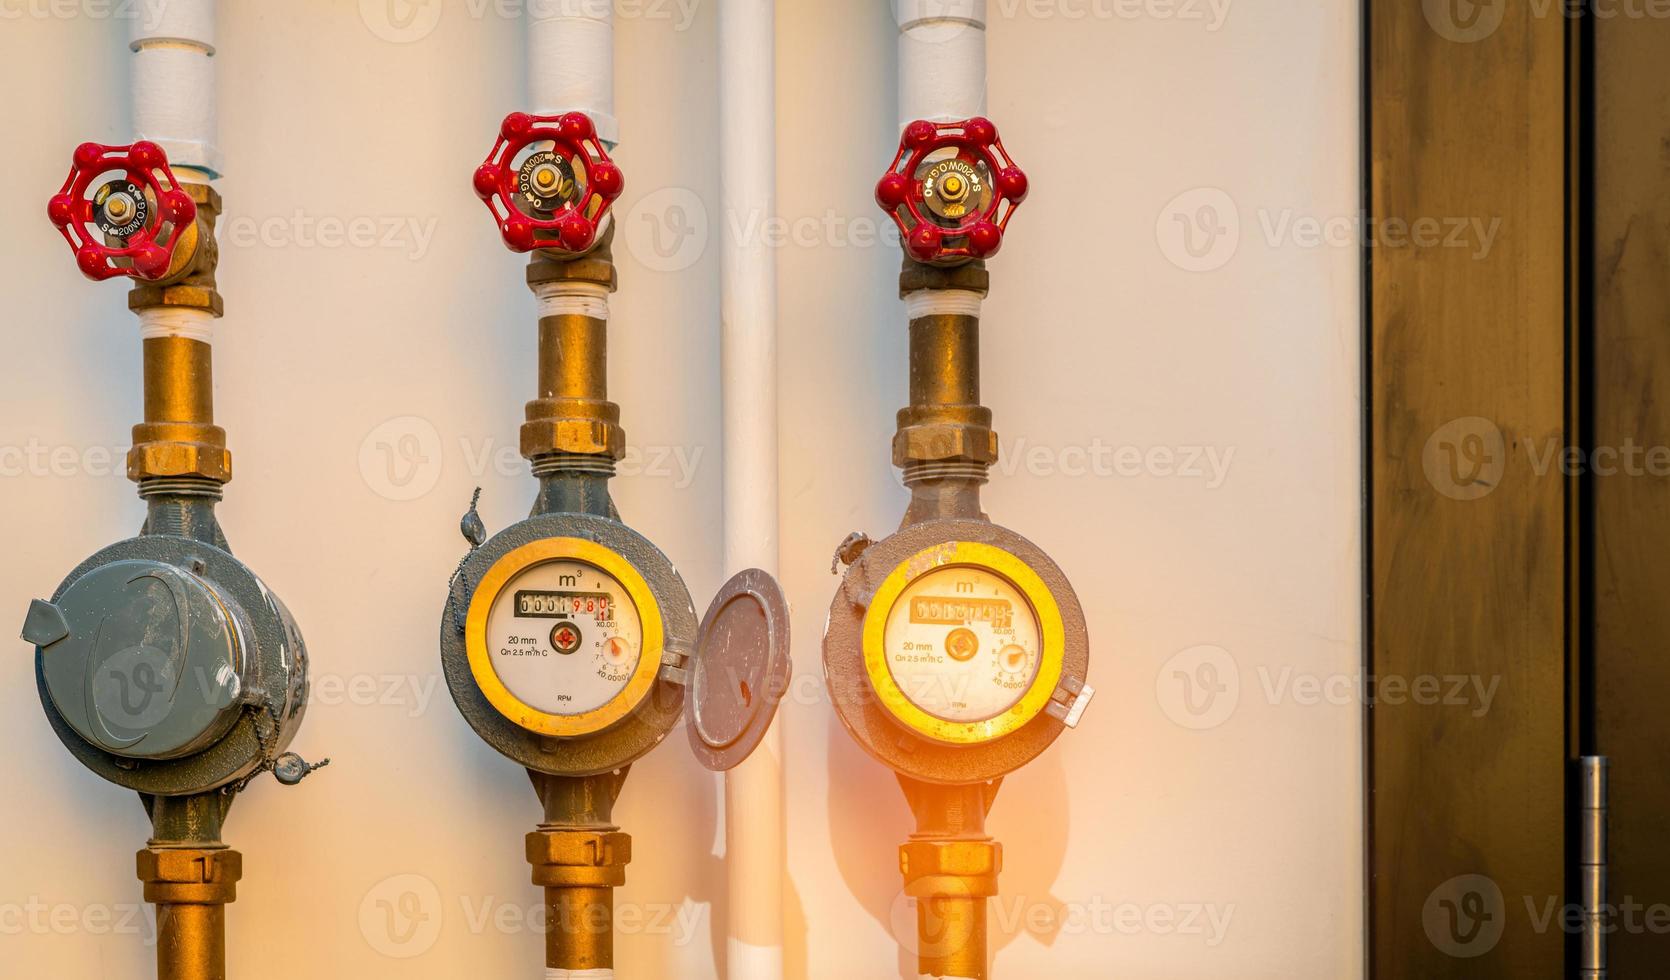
569	640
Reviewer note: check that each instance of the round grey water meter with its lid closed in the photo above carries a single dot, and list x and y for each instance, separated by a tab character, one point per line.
168	667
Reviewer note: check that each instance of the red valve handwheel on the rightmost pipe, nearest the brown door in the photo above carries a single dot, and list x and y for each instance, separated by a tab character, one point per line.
984	189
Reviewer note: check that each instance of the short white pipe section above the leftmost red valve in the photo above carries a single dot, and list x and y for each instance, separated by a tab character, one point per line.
175	91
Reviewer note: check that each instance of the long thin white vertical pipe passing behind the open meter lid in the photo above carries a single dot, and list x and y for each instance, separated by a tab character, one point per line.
754	792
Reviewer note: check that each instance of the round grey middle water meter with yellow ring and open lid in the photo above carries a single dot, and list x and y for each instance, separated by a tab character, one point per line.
572	647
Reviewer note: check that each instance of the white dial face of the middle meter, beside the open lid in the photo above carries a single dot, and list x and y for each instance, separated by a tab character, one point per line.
565	637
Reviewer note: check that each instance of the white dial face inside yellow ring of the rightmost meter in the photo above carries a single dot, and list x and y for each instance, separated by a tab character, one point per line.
963	644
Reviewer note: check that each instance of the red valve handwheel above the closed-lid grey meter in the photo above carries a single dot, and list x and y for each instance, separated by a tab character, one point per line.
134	221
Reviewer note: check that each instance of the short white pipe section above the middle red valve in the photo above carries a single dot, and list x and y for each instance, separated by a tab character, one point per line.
572	61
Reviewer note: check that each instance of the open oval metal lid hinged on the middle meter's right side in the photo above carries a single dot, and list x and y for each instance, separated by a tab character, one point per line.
741	670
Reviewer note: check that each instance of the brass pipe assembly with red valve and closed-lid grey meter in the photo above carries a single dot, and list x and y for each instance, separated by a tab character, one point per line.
164	664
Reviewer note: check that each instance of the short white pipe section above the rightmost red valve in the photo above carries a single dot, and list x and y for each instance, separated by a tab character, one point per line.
941	59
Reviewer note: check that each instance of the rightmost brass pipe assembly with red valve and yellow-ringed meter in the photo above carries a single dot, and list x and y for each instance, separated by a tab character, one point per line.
956	650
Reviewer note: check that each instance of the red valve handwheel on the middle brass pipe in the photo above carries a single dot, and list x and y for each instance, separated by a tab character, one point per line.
552	200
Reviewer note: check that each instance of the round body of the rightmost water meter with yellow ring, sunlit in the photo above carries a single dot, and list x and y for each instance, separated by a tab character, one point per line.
956	650
